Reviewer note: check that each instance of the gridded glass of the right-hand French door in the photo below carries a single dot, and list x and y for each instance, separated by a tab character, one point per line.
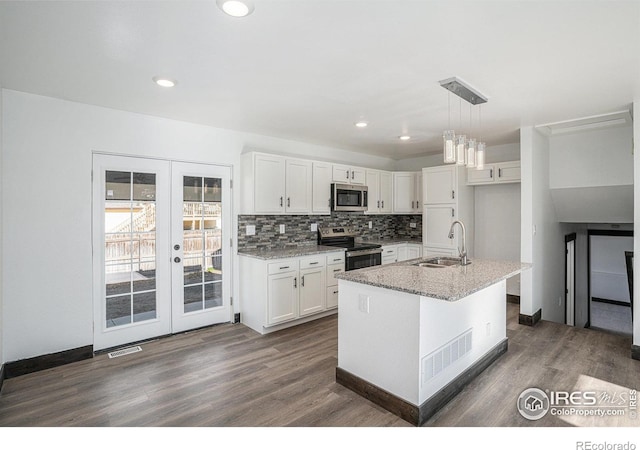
202	242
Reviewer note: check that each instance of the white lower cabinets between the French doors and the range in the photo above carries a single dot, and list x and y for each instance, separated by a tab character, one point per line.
286	292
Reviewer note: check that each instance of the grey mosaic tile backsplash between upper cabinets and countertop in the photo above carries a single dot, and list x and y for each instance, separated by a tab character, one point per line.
298	228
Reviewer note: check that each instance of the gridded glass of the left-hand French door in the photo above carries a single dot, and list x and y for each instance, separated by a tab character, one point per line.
130	247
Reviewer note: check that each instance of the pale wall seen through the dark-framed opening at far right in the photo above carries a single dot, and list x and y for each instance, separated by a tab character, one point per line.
608	267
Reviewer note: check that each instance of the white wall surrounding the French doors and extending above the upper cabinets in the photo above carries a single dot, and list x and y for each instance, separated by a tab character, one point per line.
47	151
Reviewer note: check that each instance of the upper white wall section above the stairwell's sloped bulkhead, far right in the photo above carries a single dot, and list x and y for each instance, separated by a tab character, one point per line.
591	158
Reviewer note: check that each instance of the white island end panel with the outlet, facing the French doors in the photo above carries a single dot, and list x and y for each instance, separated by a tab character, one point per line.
378	337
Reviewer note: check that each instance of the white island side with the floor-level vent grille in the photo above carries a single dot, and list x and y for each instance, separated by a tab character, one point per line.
444	327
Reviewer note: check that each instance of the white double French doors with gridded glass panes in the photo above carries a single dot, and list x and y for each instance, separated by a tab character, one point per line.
161	248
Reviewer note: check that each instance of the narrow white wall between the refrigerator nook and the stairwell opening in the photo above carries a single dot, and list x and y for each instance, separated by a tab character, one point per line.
542	237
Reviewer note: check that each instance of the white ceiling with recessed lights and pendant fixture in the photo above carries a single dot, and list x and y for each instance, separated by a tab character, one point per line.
308	69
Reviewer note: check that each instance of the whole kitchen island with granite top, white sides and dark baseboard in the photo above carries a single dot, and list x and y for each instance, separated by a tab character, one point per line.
412	335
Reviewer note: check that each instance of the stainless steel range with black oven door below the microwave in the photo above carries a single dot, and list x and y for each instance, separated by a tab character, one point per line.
357	255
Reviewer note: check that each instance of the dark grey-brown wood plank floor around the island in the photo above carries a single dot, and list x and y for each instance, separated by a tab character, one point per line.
228	376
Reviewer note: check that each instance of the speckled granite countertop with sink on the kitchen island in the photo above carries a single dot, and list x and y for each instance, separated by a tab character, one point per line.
446	283
